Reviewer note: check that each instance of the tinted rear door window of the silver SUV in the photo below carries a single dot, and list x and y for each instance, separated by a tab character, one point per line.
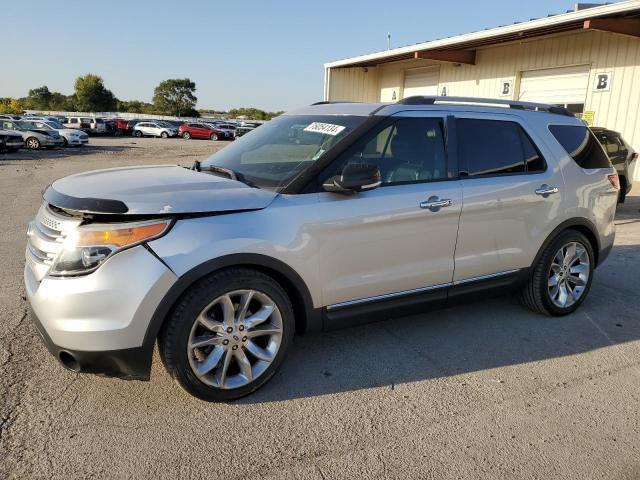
495	147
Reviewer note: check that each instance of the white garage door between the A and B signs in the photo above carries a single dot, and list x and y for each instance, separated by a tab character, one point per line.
558	86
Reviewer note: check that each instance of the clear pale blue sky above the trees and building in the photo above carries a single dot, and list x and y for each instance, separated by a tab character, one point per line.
241	53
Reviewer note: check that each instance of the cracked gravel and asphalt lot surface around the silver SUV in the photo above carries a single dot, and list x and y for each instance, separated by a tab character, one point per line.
487	390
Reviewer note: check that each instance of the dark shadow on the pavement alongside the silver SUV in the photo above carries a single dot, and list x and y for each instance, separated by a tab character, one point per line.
463	339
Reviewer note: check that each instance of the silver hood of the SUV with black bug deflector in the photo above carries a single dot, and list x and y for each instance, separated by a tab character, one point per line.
153	190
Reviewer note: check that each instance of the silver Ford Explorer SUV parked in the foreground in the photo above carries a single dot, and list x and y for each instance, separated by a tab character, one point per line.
328	216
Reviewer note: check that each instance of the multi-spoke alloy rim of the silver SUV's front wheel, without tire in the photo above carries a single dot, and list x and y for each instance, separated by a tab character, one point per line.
235	339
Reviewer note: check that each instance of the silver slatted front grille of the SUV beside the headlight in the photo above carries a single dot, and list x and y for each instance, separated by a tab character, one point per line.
45	239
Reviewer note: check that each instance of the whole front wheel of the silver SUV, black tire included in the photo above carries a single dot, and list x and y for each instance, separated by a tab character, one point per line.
228	334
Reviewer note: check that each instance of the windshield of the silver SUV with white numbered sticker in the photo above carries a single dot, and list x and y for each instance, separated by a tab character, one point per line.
273	154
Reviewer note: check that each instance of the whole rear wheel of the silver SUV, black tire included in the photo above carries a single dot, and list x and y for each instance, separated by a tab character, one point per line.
561	279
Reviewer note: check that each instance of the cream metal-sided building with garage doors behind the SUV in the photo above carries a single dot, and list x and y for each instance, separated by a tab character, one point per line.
587	60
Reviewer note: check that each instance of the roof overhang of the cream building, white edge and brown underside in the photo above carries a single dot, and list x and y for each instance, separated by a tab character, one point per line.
622	18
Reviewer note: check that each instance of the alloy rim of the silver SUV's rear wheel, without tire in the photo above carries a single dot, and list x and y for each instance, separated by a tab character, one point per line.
569	274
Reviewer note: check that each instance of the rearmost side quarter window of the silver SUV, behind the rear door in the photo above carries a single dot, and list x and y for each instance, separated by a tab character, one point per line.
581	145
